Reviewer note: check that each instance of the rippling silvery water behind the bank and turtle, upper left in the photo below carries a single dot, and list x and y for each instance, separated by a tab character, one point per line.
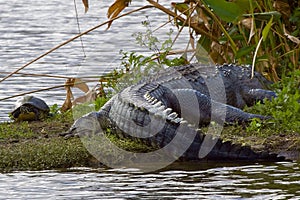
30	28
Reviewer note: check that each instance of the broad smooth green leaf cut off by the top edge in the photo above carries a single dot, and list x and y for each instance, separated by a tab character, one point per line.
228	11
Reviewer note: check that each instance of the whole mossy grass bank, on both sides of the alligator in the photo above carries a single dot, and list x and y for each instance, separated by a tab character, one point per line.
37	145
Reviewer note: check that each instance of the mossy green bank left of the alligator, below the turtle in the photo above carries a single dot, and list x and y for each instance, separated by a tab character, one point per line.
38	146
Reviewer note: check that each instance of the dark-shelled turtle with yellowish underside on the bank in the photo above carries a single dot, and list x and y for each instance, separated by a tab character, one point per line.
30	108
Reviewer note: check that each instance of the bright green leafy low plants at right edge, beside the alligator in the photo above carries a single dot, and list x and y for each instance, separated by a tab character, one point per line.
285	109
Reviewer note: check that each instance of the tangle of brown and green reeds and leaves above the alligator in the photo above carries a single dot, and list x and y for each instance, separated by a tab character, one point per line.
262	33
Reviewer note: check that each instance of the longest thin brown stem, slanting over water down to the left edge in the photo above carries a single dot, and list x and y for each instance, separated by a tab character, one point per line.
70	40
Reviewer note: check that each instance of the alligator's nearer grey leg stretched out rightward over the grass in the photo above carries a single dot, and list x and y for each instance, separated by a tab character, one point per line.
195	105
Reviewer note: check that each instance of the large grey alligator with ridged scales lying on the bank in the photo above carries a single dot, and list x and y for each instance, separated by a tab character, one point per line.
171	107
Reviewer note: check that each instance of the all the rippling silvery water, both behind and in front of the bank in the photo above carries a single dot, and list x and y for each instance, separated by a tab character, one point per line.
30	28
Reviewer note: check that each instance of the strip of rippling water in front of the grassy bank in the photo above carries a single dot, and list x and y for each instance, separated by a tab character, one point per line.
256	181
